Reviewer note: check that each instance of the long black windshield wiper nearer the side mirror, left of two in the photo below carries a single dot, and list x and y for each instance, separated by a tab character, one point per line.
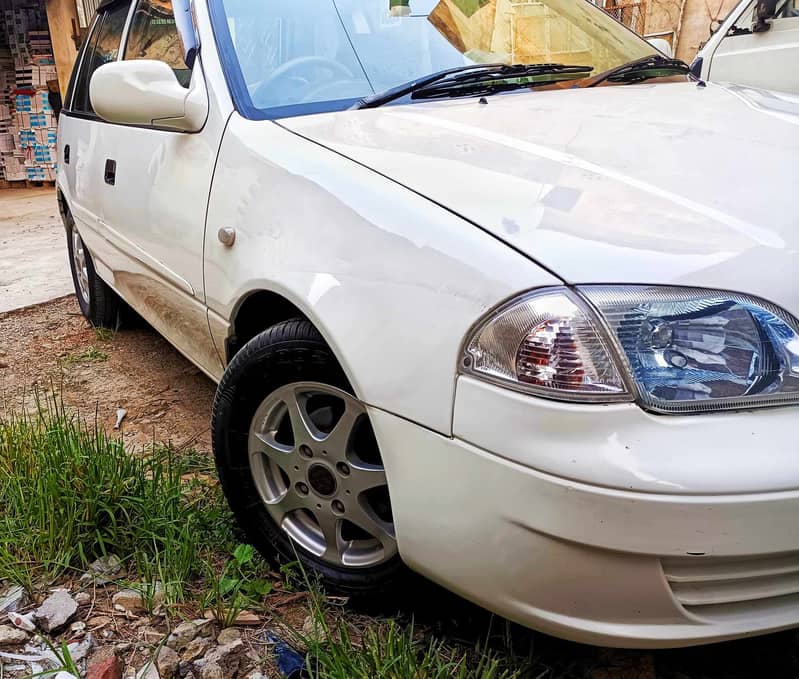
476	79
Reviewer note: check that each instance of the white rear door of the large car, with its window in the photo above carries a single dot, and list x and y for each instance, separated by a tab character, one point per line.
80	130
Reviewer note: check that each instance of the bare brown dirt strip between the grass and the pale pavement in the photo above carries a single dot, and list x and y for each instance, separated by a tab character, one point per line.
52	347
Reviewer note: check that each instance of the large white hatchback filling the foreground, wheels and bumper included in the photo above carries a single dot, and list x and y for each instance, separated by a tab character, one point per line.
494	292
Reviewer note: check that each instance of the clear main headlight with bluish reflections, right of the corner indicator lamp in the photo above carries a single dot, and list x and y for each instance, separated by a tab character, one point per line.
692	350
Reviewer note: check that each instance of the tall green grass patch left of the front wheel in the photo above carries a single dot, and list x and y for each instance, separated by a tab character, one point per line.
70	494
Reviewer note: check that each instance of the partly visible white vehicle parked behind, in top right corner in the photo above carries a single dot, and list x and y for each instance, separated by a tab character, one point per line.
757	45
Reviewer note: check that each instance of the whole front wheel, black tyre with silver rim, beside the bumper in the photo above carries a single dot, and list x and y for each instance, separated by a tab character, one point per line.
291	363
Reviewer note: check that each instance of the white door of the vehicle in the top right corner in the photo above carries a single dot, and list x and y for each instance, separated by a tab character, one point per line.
766	59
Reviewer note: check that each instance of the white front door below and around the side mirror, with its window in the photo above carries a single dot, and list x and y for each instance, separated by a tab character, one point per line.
154	187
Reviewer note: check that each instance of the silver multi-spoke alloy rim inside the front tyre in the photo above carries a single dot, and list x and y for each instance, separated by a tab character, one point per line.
316	464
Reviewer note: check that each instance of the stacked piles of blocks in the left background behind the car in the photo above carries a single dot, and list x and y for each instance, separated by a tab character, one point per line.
27	121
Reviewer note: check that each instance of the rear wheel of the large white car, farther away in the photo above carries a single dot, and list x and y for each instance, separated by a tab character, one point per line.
97	301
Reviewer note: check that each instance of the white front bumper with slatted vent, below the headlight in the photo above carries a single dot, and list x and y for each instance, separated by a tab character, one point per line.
593	563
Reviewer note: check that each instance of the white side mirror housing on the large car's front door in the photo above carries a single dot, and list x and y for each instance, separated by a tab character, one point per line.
147	93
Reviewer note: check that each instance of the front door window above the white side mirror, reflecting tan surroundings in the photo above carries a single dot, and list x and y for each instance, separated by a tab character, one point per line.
154	35
